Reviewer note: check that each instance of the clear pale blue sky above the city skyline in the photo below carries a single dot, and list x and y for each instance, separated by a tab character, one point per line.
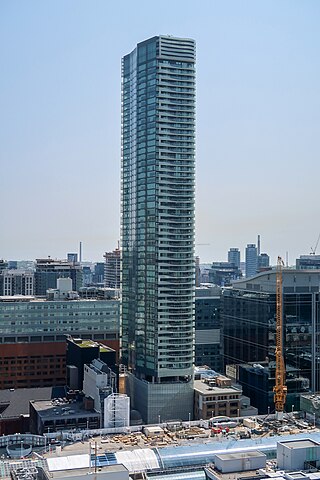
258	122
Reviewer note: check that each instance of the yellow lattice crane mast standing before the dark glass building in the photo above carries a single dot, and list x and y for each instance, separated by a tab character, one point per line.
280	389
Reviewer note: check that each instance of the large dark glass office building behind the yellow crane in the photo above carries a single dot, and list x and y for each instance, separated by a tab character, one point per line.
249	331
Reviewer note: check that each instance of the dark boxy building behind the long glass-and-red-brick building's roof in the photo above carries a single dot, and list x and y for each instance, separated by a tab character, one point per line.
49	270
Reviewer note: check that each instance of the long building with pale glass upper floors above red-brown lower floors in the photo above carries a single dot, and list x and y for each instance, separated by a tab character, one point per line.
33	336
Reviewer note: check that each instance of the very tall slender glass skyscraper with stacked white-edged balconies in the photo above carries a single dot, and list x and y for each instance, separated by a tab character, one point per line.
158	273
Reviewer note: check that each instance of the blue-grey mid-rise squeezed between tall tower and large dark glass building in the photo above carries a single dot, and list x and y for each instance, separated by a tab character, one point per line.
208	345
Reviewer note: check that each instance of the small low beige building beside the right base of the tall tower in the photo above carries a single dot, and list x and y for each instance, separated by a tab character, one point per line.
215	396
